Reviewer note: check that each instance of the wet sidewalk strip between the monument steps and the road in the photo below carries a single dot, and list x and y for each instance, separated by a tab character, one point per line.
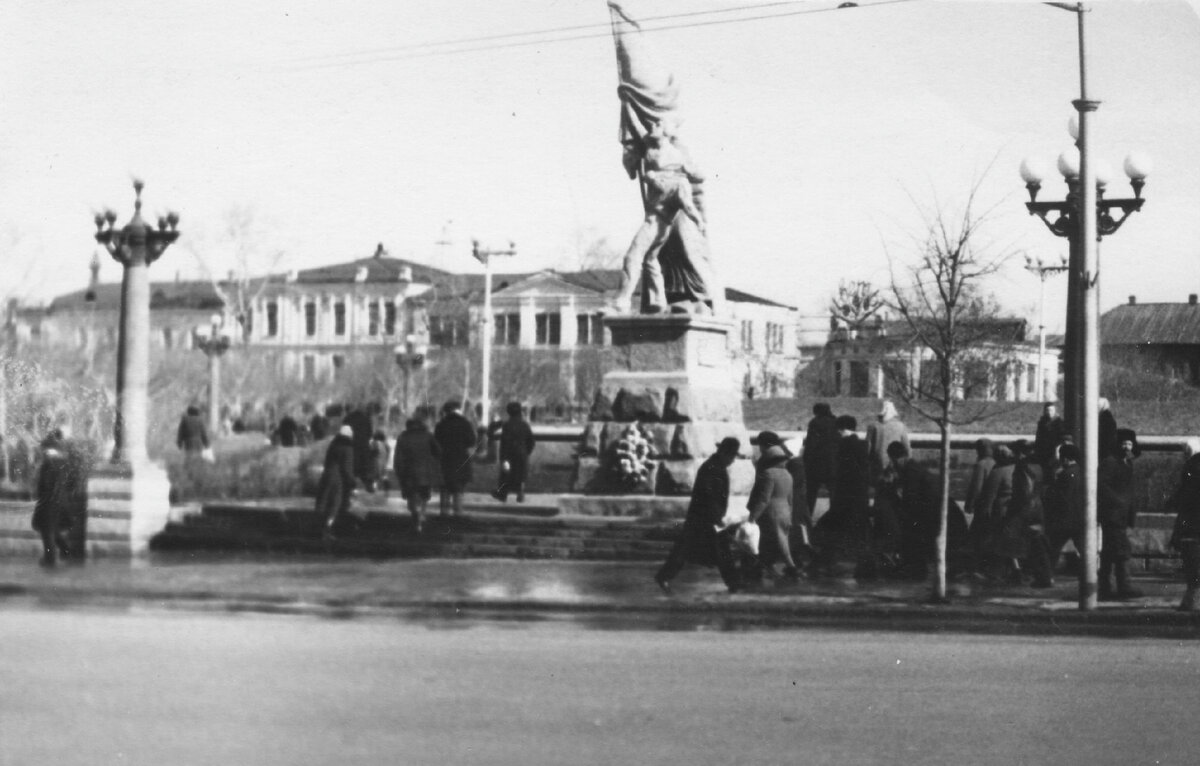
590	594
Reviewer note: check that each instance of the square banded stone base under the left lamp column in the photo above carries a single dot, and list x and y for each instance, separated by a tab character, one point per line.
128	505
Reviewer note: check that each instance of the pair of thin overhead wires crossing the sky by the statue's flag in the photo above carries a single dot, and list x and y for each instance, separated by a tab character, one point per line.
511	40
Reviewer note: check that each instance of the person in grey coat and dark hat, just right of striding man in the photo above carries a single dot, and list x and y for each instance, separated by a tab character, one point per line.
771	506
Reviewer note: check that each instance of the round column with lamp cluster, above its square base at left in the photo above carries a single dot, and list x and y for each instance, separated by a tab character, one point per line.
135	247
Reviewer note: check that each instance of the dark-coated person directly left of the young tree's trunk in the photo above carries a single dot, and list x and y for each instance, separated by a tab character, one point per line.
920	505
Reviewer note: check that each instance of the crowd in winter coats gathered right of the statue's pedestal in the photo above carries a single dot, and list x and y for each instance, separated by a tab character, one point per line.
1024	504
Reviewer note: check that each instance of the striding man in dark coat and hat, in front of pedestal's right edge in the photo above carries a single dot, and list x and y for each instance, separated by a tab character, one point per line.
701	543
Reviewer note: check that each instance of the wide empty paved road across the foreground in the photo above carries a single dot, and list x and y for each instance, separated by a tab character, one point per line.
149	687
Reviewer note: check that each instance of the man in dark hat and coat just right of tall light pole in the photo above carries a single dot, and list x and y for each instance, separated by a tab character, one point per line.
1117	496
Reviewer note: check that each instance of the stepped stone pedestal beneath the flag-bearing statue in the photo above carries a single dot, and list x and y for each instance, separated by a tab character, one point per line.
673	378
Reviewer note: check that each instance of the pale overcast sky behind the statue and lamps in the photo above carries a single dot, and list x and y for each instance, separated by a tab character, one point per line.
824	133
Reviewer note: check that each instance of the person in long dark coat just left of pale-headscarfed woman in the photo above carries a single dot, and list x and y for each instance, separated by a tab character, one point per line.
845	530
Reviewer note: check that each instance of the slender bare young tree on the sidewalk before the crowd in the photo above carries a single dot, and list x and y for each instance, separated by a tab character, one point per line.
955	325
